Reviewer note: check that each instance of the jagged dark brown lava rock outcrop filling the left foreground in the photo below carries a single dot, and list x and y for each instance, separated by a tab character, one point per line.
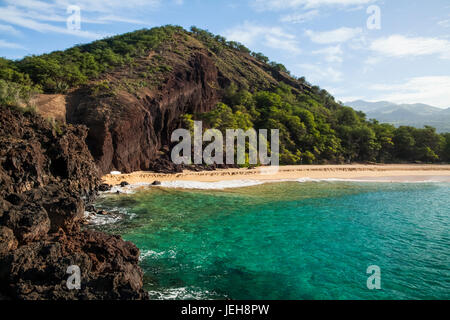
46	176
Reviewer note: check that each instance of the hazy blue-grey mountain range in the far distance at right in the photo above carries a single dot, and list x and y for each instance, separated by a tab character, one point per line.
415	115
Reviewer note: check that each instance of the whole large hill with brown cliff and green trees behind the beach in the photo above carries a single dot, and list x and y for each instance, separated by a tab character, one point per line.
133	90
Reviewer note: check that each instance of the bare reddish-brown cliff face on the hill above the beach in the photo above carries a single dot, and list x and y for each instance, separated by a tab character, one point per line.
127	132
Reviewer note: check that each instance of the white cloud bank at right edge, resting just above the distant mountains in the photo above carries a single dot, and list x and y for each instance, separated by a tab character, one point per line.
432	90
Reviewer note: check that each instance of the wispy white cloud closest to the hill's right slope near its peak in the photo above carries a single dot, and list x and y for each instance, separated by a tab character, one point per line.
273	37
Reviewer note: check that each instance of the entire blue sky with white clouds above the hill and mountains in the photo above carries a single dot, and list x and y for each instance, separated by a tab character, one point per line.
390	50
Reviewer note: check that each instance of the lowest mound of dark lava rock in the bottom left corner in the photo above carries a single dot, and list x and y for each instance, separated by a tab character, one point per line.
108	268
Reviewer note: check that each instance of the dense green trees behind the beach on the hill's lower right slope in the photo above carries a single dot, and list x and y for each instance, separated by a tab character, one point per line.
312	133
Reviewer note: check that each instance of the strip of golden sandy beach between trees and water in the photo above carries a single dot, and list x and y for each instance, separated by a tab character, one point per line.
394	173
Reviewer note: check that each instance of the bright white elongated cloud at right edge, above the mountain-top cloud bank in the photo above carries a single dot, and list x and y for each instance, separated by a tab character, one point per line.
401	46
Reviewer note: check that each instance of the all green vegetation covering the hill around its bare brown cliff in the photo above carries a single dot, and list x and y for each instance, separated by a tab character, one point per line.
314	128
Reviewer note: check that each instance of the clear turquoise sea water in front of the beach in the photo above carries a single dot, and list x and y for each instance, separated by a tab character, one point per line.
292	240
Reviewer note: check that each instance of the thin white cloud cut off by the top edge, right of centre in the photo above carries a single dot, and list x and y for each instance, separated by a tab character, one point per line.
291	4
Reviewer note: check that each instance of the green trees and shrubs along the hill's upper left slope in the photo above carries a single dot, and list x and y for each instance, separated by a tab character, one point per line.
59	71
